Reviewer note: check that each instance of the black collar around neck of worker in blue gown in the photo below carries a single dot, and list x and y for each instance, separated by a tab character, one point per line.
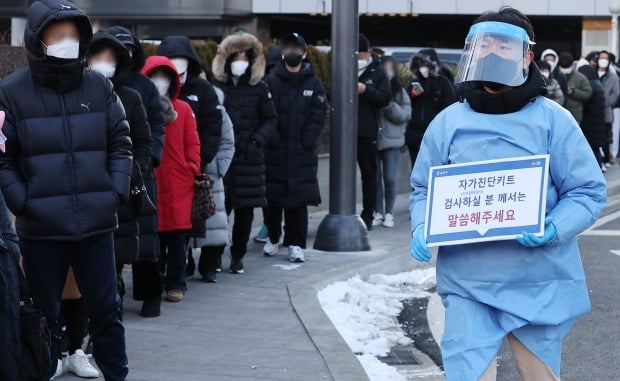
507	102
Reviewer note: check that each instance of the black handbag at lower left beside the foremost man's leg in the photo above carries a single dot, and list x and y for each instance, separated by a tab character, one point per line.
35	337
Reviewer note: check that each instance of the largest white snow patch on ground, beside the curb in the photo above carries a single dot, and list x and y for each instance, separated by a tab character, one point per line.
365	311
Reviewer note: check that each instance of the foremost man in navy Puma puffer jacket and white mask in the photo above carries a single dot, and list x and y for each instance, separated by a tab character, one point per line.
64	173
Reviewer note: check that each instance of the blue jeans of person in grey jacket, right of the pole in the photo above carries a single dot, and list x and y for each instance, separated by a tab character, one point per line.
387	163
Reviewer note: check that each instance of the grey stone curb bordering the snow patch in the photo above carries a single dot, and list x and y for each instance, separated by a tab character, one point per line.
340	360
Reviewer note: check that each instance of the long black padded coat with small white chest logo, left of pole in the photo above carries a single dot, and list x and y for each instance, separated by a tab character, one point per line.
292	163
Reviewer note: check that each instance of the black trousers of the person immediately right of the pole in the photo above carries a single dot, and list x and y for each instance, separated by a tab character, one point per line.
367	161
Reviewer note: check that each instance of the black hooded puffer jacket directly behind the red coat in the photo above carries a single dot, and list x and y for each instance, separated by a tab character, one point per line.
200	95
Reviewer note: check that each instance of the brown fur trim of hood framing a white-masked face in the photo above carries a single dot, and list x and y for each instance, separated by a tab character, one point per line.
232	45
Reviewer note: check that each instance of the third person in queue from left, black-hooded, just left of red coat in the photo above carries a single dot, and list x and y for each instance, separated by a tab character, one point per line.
147	280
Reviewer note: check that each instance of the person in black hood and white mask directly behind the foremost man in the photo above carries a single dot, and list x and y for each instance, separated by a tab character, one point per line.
108	56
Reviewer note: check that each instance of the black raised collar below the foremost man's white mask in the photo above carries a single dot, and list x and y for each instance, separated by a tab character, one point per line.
57	73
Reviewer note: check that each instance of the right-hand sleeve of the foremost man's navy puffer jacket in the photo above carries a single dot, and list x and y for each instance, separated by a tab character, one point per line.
119	145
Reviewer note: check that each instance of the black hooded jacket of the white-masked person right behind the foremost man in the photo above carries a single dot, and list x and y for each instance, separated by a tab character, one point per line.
126	237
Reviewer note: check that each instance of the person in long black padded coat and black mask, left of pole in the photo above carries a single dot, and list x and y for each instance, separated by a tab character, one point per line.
292	164
